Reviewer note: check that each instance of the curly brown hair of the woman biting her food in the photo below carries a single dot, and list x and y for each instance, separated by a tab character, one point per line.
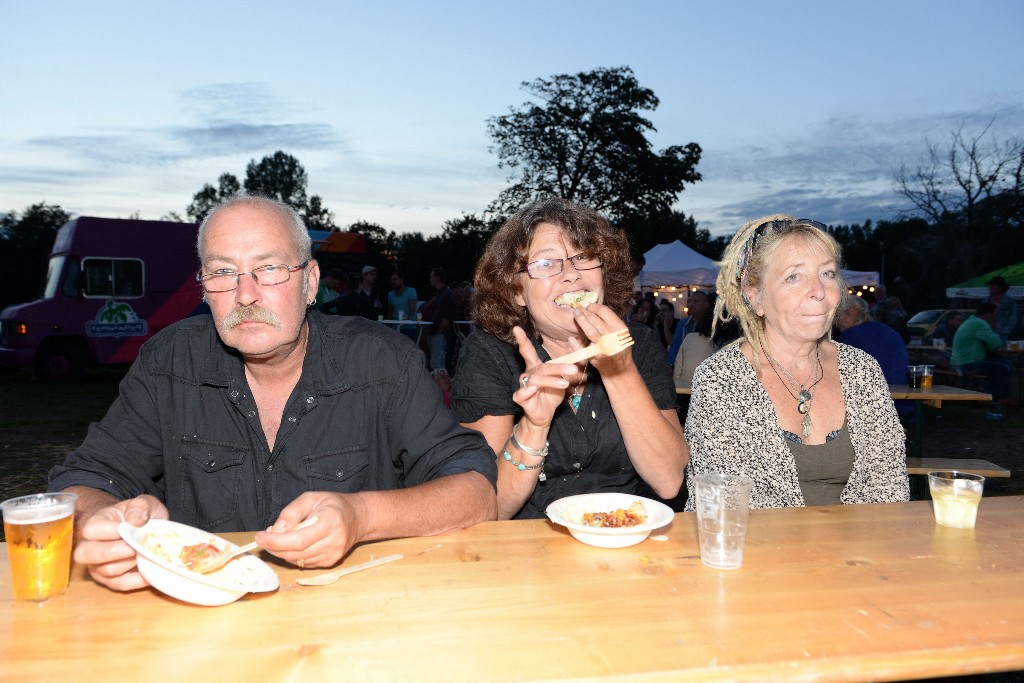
498	278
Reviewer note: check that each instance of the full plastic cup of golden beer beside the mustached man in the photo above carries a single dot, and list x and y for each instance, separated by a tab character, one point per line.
39	538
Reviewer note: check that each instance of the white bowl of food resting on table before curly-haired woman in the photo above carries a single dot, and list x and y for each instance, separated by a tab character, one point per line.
610	521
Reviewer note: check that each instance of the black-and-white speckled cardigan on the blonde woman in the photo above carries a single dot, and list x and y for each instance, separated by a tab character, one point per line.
733	429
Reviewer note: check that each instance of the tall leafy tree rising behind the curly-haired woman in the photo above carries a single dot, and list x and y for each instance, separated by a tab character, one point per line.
586	142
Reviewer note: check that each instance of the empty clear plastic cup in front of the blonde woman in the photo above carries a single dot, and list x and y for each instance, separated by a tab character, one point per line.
722	505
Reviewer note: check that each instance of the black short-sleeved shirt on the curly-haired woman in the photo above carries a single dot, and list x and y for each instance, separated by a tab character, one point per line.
587	452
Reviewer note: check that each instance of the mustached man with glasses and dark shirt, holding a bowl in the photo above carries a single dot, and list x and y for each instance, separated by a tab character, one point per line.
268	413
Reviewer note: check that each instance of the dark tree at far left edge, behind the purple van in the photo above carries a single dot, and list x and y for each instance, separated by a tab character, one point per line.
26	242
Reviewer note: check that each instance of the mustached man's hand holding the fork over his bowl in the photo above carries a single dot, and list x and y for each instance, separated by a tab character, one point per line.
324	544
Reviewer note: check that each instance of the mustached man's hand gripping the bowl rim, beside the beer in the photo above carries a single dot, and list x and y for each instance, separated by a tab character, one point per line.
112	562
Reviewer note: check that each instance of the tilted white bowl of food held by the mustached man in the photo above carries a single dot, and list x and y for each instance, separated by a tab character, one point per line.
159	546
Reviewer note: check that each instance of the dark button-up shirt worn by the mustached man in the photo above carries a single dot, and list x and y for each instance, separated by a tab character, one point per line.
365	415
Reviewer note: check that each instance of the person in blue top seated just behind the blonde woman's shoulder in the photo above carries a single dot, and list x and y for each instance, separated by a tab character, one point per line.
854	320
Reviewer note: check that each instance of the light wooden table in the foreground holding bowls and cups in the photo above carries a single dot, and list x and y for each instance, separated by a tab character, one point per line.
843	593
